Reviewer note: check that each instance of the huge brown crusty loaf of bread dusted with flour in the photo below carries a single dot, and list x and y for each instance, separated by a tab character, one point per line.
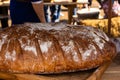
53	48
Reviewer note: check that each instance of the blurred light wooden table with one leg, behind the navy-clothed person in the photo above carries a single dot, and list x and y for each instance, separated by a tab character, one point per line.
70	5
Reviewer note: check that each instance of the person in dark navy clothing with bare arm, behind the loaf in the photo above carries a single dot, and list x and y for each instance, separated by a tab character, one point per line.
22	11
